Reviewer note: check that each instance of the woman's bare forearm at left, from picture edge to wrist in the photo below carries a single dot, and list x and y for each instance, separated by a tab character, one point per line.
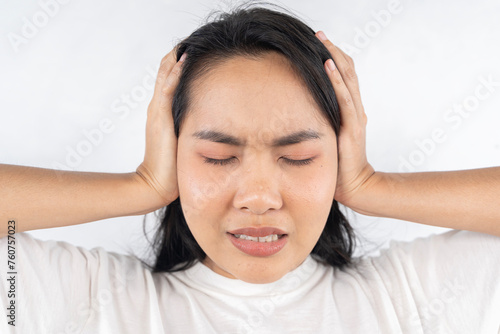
39	198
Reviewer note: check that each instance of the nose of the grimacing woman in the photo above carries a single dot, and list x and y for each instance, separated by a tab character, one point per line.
258	191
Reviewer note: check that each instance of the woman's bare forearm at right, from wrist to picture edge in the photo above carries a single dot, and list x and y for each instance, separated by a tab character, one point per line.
464	200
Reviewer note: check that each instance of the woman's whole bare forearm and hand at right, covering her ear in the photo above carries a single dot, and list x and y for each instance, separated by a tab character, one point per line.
428	198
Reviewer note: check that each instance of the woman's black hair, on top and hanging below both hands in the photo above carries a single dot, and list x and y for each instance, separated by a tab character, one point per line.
251	31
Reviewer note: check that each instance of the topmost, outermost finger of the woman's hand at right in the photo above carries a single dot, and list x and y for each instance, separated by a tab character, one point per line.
345	65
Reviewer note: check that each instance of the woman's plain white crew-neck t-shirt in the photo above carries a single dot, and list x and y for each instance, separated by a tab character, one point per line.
445	283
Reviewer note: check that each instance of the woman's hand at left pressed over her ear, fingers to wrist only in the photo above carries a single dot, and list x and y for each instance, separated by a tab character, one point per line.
159	168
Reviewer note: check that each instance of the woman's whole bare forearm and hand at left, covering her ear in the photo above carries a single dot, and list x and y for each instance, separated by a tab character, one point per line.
39	198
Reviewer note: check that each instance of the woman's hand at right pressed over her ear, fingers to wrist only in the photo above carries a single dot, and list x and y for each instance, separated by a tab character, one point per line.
353	170
